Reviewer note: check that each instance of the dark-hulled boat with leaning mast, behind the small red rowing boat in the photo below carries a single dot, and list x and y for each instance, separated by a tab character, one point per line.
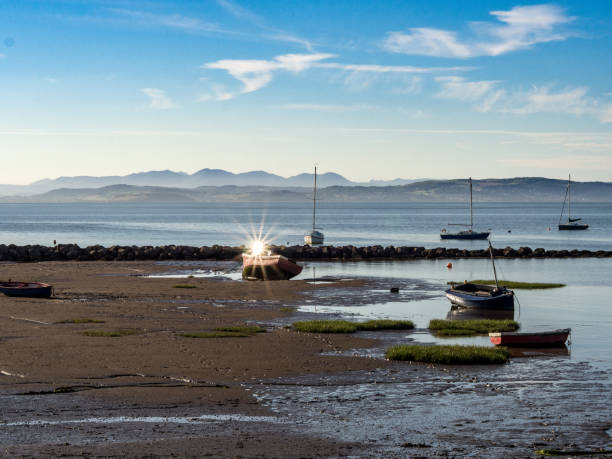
470	295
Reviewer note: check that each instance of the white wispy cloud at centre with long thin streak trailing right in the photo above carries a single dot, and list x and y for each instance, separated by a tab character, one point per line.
255	74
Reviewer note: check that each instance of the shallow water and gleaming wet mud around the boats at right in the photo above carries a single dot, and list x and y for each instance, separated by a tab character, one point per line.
557	398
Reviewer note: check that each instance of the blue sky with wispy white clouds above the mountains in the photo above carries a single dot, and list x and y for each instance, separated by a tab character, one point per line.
367	89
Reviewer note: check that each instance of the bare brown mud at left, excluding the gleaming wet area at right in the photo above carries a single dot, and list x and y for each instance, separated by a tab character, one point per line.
154	372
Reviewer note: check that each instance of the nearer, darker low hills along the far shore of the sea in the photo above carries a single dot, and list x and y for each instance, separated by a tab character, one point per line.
524	189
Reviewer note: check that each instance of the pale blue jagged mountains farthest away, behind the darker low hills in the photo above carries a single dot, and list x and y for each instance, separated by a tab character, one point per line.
204	177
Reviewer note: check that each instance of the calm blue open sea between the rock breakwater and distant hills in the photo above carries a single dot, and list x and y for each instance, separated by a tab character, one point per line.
513	224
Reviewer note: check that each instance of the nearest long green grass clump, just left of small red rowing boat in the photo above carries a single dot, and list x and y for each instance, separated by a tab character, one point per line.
451	355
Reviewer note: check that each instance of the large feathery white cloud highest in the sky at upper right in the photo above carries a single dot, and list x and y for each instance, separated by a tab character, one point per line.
515	29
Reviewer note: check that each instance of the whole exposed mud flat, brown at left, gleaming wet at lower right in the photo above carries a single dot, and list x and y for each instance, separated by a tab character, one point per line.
153	391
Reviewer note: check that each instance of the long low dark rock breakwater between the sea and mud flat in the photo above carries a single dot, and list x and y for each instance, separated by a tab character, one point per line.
61	252
